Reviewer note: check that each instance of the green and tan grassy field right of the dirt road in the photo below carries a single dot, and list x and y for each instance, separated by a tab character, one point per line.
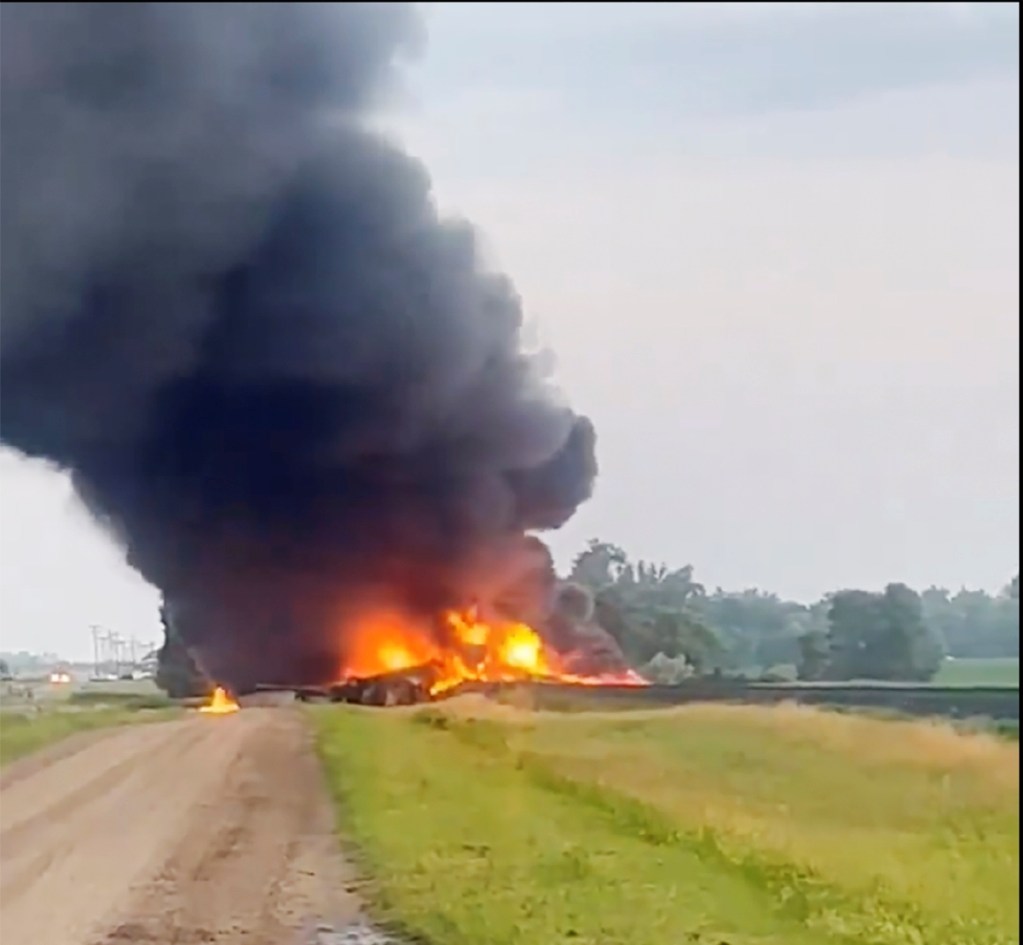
703	825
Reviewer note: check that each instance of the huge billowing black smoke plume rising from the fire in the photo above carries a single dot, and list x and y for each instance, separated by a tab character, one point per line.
232	310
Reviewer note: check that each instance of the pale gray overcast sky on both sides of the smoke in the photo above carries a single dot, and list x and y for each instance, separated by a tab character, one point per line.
775	249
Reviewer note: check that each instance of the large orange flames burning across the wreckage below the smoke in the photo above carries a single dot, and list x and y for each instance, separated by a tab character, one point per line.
478	652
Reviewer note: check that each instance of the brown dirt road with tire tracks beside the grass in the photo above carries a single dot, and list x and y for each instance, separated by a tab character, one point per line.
205	830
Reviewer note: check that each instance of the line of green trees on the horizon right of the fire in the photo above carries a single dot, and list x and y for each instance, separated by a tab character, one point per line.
671	626
